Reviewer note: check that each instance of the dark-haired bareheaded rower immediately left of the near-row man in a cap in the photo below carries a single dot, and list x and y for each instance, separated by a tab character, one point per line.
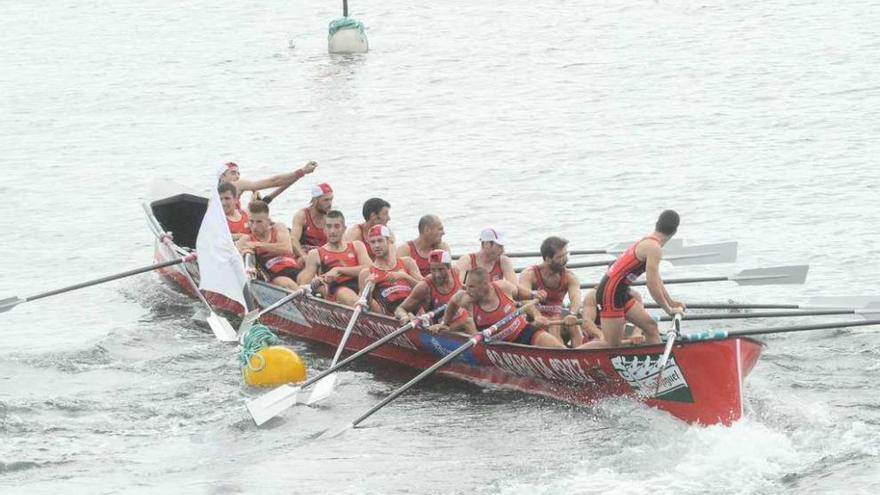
336	265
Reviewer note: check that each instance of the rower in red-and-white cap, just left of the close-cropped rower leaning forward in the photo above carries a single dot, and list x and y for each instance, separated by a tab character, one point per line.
441	284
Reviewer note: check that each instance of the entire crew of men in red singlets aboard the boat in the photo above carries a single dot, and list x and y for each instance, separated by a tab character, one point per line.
479	289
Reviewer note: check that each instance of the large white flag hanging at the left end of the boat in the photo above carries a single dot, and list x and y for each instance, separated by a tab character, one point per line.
220	267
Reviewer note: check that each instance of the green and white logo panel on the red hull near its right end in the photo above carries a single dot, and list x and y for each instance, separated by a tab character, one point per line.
641	373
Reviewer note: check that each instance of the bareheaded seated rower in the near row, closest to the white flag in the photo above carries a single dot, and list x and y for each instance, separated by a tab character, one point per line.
270	244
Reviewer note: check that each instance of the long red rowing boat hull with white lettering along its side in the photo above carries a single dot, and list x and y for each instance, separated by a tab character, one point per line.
702	382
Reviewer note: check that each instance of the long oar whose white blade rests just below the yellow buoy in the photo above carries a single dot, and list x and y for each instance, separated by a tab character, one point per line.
276	401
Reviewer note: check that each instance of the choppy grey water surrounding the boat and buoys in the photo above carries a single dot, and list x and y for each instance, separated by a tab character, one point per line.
756	120
